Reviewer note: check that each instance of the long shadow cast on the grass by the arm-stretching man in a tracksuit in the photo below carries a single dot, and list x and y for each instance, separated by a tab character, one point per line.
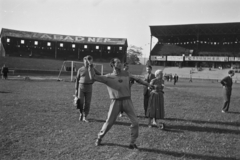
175	154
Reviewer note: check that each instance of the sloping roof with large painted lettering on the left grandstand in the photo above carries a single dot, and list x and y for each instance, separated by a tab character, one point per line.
63	38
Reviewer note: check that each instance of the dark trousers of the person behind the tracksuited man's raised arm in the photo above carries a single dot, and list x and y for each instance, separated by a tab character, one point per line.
85	102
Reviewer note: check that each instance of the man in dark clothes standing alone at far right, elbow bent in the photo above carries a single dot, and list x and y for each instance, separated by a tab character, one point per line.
227	90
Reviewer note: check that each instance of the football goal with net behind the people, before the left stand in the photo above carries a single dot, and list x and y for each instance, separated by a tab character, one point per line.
68	71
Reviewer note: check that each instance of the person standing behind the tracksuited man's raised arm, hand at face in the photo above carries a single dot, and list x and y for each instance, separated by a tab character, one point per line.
83	89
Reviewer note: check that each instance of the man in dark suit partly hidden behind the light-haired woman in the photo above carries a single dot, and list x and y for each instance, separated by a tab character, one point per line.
146	92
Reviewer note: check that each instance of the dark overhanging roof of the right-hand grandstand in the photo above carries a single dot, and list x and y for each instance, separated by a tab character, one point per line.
170	32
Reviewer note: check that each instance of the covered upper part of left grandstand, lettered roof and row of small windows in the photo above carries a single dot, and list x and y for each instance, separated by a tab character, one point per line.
15	43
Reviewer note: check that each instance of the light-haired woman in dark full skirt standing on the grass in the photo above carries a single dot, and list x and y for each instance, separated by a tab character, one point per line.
156	100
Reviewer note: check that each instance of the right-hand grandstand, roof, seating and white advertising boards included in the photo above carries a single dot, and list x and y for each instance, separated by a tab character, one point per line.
214	45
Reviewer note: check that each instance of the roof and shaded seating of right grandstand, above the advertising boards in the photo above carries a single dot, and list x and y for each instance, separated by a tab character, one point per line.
200	39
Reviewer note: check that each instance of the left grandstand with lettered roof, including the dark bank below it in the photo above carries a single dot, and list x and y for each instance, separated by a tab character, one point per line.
33	53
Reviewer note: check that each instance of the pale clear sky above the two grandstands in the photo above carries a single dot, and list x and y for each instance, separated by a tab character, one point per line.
113	18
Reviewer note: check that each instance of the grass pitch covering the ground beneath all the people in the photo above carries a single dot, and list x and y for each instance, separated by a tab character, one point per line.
38	121
